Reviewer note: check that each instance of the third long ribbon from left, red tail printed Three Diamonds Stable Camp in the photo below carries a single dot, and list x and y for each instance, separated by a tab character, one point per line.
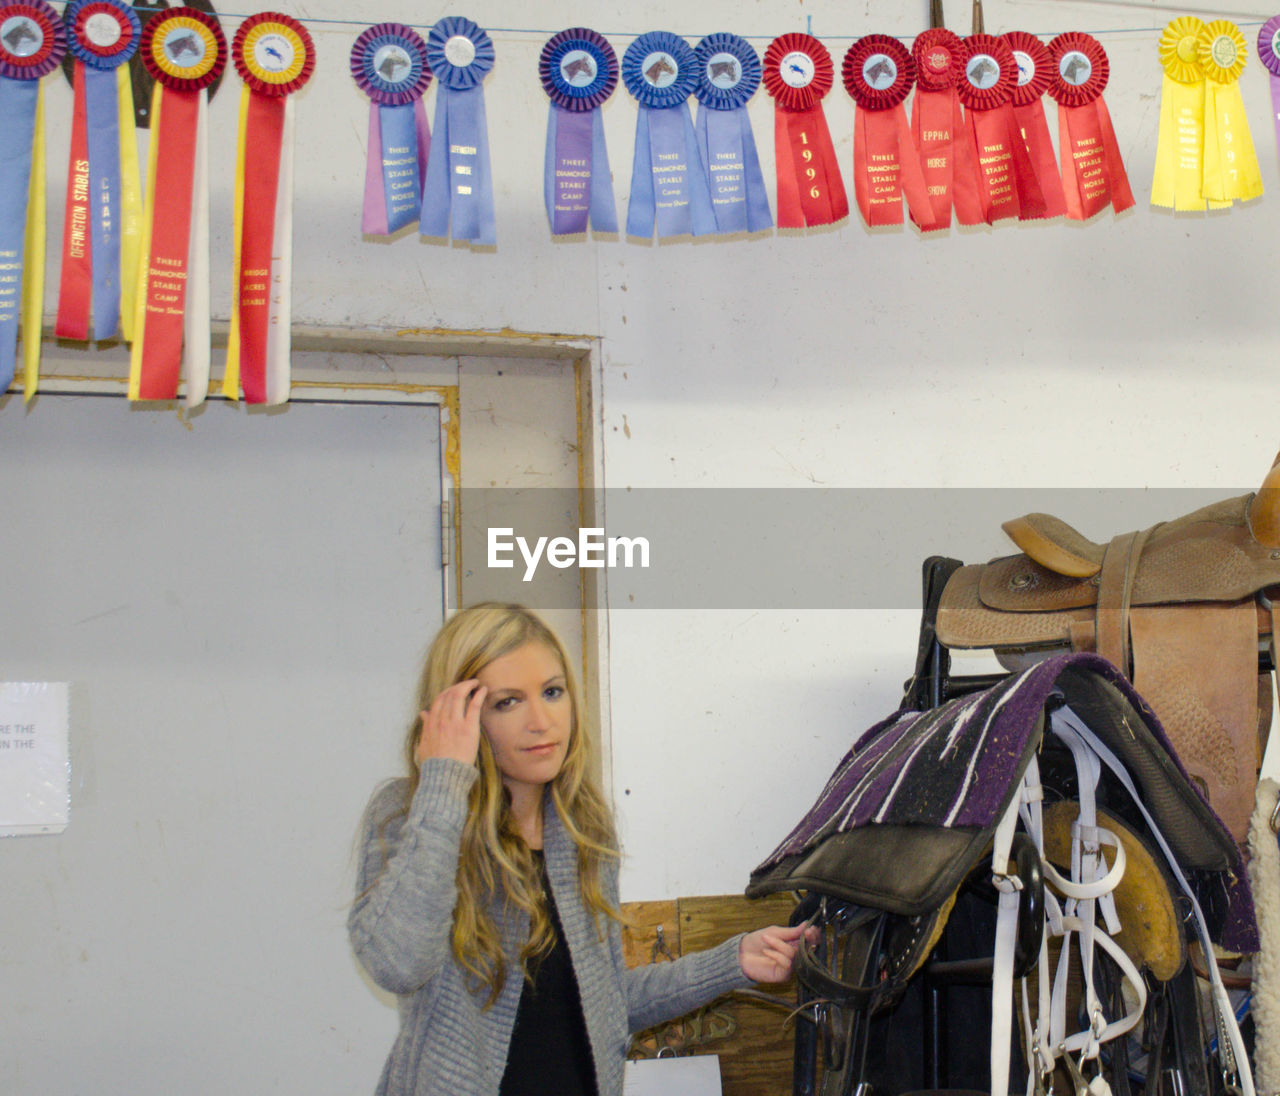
185	52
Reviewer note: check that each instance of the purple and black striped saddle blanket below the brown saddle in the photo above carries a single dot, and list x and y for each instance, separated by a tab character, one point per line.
912	809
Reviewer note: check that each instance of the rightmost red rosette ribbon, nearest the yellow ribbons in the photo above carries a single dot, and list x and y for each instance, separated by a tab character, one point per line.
1094	175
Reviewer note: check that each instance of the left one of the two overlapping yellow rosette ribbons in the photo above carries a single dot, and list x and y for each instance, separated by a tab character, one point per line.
1180	176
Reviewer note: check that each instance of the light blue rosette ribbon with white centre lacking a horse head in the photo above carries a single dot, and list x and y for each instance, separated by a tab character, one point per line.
459	190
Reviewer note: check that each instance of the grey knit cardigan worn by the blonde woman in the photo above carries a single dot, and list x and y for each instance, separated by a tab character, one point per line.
449	1043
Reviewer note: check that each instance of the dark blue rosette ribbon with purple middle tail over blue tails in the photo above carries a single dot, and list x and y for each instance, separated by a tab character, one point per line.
579	71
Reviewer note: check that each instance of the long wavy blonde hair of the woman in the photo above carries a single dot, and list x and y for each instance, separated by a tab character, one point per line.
495	858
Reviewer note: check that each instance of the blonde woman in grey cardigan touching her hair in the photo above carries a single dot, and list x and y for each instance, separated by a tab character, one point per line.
488	887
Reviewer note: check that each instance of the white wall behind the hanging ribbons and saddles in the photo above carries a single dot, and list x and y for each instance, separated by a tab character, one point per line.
1133	351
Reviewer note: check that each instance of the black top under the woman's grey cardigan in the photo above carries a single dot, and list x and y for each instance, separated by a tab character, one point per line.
550	1053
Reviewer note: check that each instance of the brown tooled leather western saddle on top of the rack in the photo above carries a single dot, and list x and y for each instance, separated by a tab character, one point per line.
1181	609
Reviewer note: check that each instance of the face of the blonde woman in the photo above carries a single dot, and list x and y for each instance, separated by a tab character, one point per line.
528	716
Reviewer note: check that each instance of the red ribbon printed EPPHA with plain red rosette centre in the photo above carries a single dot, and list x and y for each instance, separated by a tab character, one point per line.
945	145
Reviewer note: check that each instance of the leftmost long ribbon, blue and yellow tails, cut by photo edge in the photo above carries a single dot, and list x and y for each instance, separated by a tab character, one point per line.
33	44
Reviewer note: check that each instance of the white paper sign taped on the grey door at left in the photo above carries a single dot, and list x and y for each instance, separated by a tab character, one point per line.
35	775
